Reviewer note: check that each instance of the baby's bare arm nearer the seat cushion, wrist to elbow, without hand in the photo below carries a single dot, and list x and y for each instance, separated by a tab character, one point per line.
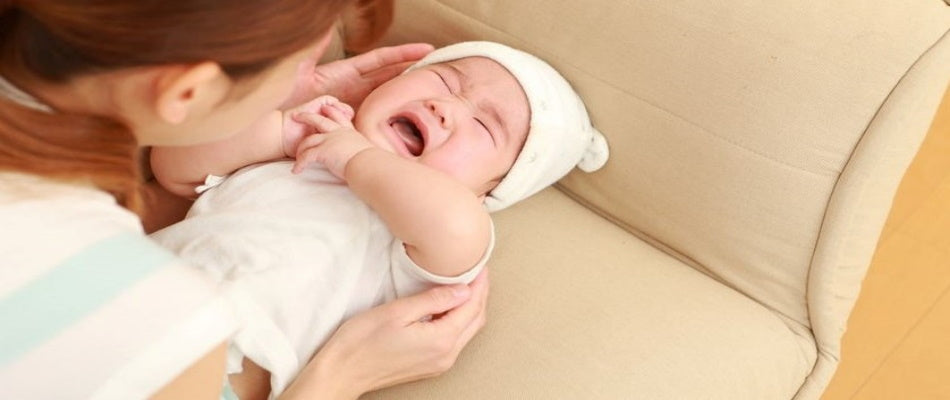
443	223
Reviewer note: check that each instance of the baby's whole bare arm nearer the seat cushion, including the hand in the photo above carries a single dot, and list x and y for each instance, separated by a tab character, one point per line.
443	224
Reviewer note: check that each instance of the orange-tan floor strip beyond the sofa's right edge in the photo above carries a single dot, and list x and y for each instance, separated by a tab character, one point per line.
898	341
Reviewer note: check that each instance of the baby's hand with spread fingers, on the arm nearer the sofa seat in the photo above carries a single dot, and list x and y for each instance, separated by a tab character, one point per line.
335	142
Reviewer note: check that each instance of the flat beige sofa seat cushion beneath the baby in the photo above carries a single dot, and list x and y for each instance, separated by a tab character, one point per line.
577	300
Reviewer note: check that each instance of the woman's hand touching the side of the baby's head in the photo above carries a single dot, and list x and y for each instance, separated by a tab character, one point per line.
351	79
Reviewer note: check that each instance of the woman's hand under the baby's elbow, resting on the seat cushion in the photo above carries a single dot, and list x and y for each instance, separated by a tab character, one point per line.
395	343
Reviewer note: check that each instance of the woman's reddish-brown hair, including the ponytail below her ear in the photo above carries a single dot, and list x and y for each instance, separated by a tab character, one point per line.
56	40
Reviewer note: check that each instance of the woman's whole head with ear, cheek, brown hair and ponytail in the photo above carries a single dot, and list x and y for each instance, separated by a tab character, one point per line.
149	72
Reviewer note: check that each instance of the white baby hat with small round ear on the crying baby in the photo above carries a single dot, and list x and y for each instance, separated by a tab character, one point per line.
560	135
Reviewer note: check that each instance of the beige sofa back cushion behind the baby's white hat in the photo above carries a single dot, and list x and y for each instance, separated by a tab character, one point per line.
729	124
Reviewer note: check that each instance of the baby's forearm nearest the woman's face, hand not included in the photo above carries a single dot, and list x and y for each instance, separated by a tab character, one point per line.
181	169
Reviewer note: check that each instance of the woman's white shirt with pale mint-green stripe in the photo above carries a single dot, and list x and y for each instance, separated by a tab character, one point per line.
89	306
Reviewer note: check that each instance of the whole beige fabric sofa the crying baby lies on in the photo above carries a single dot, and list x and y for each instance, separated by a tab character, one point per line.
756	149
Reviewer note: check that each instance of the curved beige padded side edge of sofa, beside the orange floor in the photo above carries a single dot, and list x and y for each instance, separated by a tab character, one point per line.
858	210
